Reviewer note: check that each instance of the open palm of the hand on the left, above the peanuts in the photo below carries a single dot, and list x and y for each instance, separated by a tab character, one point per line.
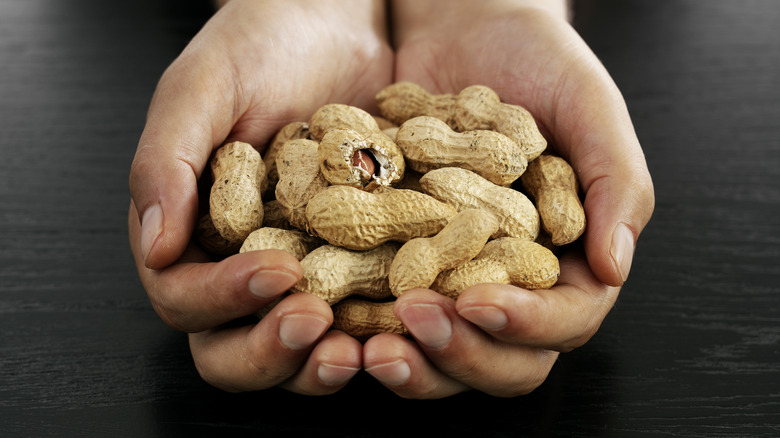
277	72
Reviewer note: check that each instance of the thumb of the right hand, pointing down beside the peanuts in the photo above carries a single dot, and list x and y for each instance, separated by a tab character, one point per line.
593	130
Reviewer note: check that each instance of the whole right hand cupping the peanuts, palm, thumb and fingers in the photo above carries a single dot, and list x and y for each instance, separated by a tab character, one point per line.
503	340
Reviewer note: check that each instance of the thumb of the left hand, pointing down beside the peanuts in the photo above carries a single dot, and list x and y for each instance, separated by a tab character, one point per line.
172	153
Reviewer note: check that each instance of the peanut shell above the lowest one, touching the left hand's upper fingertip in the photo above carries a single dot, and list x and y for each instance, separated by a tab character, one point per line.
334	273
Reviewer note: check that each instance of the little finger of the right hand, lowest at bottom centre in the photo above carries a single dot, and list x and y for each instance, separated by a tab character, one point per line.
401	366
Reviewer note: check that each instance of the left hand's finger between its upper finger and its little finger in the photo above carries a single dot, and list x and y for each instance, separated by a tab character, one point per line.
260	356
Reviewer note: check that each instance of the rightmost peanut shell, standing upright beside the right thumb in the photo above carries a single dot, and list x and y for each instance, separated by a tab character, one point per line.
551	181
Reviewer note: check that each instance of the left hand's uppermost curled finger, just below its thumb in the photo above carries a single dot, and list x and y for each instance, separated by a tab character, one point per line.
196	294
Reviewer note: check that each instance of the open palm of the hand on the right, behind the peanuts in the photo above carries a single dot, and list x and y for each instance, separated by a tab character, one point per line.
522	59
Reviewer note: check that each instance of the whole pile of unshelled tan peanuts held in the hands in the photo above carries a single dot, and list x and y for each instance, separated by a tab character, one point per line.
438	191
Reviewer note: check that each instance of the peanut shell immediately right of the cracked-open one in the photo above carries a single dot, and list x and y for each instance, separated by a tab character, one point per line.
428	144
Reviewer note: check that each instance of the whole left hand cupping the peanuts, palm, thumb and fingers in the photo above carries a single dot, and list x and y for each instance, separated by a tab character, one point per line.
253	67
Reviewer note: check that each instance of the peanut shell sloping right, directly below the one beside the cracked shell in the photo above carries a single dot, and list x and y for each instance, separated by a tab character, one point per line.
461	188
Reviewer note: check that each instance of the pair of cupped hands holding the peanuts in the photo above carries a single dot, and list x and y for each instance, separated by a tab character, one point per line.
256	66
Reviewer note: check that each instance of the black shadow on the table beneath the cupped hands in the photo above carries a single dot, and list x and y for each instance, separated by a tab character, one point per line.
575	399
